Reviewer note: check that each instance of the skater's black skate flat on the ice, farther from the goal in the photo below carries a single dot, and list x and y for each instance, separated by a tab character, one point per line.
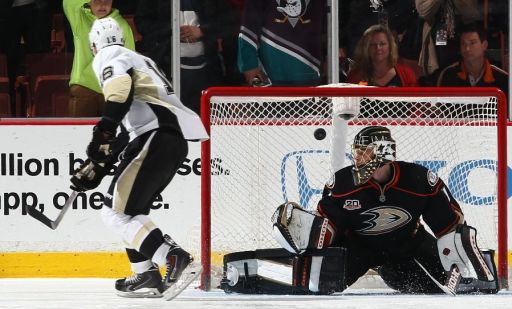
145	285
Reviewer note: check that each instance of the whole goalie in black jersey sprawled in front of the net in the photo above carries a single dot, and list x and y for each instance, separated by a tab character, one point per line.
372	215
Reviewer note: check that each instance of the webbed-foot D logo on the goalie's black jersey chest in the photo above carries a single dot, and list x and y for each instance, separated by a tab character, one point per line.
384	219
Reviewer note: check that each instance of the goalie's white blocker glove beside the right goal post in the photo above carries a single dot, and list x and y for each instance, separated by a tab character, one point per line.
460	248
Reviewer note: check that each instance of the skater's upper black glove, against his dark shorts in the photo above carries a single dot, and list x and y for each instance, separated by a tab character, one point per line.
100	148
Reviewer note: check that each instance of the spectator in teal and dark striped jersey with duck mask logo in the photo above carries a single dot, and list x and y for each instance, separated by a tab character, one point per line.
281	42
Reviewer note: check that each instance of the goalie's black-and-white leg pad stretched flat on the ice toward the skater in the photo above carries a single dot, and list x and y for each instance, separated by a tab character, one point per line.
277	271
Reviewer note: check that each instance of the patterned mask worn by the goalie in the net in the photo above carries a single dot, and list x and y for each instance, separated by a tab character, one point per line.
372	148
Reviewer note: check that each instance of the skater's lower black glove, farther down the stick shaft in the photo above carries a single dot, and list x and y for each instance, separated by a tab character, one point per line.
89	175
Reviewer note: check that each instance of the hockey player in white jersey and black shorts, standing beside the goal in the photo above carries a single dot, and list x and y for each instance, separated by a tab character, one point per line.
142	106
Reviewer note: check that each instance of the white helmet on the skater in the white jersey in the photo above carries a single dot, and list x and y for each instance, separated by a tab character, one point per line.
105	32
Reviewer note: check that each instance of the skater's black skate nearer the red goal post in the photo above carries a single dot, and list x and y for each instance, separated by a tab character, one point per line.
181	270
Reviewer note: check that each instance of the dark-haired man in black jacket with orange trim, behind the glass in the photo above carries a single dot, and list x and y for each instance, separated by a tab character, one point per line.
474	70
